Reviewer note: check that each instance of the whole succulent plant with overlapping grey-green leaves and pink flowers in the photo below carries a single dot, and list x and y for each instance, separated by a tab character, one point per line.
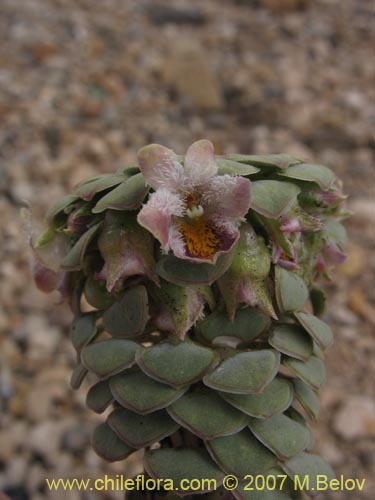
191	279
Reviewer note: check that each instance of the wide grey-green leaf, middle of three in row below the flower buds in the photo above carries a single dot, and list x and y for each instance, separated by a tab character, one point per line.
176	364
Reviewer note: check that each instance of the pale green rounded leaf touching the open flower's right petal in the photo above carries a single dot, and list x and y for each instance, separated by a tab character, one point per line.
273	198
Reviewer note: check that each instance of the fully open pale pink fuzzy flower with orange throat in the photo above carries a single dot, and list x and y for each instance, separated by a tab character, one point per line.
194	212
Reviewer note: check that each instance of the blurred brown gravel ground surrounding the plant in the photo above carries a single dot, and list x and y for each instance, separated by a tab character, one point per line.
83	85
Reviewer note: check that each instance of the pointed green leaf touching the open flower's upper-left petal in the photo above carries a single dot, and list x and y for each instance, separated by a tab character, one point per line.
129	195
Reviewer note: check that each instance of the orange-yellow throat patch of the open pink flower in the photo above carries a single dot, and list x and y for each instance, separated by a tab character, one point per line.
201	238
